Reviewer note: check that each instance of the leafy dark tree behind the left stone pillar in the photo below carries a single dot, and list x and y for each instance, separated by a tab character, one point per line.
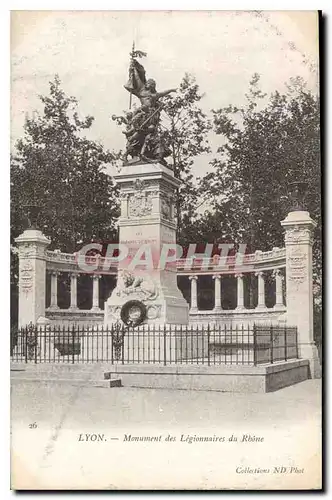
63	172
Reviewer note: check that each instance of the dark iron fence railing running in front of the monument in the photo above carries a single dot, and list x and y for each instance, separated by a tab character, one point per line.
171	344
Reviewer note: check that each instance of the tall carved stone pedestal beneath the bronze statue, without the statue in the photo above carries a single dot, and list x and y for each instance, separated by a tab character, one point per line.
146	226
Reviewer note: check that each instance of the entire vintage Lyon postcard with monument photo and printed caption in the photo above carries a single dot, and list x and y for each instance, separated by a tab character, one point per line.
166	241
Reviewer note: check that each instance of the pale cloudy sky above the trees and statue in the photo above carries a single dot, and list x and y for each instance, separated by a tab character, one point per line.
89	50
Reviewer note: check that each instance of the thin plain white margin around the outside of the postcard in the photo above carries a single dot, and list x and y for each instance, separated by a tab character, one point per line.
4	185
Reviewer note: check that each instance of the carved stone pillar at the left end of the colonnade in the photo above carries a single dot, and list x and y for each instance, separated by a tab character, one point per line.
32	276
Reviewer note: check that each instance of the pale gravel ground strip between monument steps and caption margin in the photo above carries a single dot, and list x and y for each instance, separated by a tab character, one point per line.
46	402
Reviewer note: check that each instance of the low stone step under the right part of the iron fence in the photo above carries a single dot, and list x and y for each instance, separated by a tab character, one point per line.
224	378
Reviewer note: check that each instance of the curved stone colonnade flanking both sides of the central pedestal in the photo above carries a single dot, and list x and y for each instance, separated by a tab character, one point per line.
236	266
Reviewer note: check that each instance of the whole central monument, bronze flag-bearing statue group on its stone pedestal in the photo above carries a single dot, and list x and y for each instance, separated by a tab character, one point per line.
147	224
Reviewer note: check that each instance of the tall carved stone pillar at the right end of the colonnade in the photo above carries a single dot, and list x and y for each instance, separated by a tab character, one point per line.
299	295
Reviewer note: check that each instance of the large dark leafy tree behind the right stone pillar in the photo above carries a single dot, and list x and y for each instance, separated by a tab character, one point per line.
267	144
